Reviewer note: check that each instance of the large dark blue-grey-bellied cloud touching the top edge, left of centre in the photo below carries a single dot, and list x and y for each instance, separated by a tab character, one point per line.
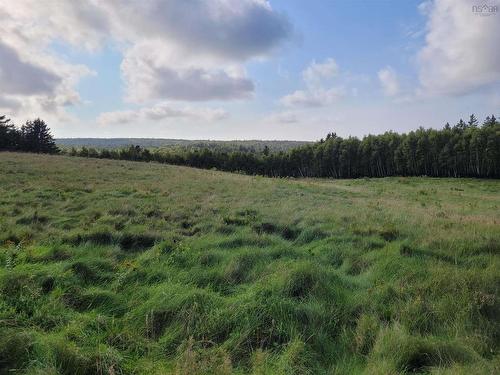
225	29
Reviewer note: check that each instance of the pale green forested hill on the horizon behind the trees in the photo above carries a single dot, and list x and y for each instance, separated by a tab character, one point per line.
248	145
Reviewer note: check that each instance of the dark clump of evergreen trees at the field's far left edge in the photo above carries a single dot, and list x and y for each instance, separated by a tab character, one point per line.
33	136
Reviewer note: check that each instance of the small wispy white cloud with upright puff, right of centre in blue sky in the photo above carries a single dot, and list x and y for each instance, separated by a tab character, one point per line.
319	92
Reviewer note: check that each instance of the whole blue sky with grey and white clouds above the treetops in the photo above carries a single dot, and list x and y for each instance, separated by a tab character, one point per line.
247	69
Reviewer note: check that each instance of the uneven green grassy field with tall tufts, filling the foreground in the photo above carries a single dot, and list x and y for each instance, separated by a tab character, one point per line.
115	267
